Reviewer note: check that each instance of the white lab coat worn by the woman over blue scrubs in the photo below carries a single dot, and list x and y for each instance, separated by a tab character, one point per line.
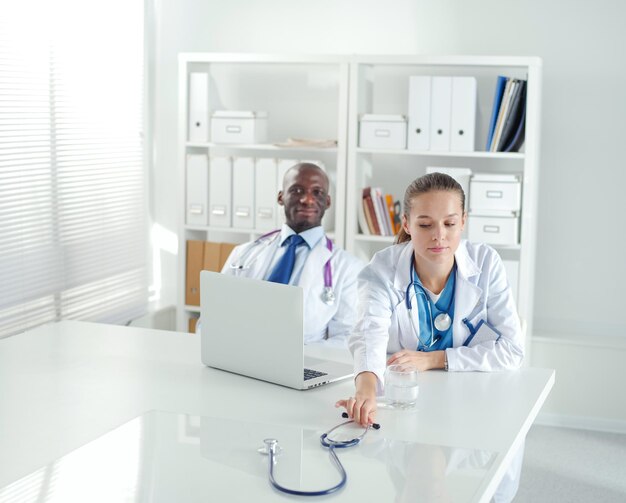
481	292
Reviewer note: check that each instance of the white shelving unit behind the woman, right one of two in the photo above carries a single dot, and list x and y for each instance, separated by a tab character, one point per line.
379	85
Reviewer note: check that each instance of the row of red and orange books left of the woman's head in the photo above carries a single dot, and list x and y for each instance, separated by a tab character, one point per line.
379	214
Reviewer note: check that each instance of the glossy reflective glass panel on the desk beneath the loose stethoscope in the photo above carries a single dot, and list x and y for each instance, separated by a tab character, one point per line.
164	457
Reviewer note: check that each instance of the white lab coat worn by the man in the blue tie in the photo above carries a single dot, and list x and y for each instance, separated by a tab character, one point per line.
322	322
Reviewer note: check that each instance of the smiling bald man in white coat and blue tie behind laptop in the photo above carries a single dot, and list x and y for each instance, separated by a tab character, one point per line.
301	254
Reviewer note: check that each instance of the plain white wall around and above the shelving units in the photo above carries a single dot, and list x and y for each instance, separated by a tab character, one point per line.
580	242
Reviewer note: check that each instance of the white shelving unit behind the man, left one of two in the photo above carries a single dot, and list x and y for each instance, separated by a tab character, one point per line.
304	96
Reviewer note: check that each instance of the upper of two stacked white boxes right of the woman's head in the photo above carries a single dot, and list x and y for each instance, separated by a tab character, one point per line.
495	193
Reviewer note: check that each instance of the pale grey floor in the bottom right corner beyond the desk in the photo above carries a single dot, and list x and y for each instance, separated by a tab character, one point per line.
573	466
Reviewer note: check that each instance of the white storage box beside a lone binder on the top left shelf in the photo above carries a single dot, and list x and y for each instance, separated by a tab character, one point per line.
238	127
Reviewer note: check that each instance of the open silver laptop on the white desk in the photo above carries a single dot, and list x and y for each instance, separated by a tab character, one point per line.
255	328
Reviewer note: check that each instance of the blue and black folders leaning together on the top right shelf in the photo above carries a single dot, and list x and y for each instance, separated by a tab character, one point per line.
508	116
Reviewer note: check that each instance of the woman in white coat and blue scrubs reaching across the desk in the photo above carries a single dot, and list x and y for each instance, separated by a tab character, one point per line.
432	300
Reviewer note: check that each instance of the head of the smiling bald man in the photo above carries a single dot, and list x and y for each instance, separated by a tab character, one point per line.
305	197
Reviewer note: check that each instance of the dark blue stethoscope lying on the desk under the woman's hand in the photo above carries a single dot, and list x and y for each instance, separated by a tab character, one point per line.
271	449
